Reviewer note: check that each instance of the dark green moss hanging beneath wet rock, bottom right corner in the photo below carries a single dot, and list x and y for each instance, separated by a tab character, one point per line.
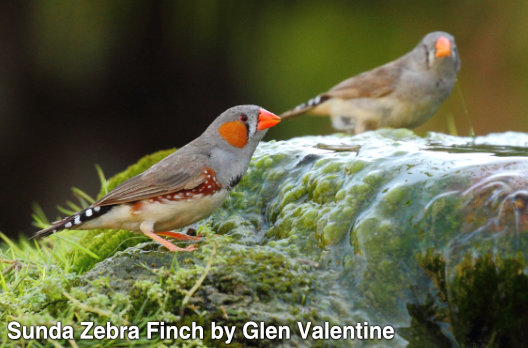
486	306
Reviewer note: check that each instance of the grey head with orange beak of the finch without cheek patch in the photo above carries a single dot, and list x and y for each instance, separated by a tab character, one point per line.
437	52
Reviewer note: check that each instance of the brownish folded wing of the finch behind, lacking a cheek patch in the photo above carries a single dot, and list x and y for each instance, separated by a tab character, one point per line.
371	84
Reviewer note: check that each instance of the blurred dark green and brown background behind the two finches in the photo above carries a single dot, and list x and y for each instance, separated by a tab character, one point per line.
86	82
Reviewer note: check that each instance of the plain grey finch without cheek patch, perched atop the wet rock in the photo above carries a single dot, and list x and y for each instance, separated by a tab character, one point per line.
403	93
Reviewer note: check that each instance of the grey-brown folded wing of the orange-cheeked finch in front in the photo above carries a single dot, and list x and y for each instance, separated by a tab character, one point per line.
172	174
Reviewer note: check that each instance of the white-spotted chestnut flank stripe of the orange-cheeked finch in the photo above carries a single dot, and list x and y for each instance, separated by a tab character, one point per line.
209	186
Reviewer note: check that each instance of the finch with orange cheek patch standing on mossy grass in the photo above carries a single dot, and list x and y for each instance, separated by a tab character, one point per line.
183	188
